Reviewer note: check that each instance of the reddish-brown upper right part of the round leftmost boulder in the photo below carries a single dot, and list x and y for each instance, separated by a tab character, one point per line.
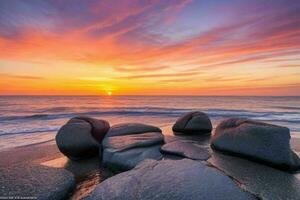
99	127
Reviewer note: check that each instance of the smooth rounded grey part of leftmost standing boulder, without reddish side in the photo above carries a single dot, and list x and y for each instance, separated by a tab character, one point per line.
74	140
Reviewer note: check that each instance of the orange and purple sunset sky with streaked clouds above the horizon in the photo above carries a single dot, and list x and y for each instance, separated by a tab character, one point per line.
150	47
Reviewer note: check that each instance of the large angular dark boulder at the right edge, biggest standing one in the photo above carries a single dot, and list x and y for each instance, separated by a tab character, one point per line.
257	141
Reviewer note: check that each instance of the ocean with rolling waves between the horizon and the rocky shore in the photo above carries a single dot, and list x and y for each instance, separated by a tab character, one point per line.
28	120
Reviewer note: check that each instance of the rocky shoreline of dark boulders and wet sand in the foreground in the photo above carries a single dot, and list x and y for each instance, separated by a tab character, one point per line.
242	159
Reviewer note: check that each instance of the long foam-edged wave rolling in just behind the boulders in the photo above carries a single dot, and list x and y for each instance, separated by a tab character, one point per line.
293	117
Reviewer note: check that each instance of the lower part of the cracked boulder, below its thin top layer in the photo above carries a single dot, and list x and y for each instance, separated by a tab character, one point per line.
122	153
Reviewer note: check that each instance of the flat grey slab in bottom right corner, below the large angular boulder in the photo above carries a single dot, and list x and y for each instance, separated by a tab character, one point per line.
264	181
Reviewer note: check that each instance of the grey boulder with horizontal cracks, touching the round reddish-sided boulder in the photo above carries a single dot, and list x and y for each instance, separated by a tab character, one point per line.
126	145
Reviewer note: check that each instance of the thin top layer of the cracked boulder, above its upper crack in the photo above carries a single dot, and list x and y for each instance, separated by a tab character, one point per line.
131	128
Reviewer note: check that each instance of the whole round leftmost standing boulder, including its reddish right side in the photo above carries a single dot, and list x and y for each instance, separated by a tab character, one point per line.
81	136
